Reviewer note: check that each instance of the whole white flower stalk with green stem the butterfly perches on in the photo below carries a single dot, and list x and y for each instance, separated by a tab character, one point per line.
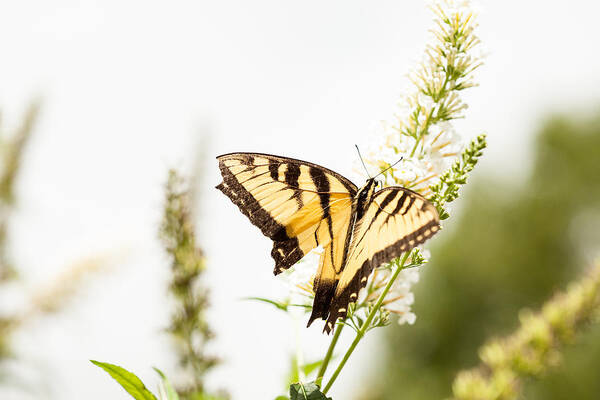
422	132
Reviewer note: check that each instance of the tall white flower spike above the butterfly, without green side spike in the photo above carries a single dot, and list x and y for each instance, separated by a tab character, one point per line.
421	132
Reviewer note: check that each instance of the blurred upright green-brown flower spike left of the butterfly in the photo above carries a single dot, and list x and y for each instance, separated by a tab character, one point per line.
189	327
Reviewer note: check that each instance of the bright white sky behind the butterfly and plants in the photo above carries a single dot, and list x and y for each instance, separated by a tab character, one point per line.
129	89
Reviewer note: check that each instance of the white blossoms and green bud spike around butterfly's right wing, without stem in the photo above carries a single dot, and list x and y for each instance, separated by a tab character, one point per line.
422	133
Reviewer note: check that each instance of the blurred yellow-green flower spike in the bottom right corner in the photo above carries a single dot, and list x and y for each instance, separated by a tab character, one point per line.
535	346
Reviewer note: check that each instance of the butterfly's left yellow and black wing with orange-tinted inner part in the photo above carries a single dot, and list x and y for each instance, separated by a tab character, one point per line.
299	205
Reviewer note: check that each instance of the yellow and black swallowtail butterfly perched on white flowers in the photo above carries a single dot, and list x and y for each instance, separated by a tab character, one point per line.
301	205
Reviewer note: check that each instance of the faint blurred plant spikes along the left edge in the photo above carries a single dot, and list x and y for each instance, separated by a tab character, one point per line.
50	297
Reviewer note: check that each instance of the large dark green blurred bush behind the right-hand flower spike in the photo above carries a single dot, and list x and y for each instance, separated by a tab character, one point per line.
512	247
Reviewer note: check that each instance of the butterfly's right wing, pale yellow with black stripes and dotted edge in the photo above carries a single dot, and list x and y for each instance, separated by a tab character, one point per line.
395	221
